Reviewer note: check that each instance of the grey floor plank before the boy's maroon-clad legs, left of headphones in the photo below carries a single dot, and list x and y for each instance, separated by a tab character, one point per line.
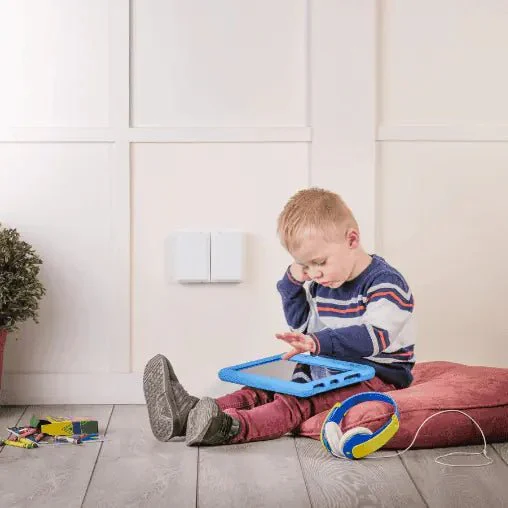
261	474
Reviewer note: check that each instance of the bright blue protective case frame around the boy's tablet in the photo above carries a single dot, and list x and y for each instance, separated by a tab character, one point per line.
350	373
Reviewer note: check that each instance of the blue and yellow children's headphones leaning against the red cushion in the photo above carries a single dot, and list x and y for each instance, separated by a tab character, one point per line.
357	442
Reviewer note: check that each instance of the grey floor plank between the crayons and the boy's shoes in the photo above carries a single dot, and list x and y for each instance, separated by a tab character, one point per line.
134	469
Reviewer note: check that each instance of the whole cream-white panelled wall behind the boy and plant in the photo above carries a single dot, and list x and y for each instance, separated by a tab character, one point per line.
123	123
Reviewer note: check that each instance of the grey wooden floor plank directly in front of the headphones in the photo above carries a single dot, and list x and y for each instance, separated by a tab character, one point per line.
334	482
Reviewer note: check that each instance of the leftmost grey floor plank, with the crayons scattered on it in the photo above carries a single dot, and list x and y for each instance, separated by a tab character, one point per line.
51	475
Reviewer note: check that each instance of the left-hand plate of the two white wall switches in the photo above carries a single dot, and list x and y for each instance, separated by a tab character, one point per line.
192	256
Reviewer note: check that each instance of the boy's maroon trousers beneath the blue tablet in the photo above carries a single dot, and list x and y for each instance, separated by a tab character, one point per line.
266	415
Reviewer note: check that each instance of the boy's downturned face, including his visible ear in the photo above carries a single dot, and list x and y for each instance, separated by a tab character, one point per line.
329	263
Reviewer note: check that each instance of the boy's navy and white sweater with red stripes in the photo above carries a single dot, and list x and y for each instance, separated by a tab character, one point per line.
367	320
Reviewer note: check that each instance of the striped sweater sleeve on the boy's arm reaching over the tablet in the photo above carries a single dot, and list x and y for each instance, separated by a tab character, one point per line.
388	307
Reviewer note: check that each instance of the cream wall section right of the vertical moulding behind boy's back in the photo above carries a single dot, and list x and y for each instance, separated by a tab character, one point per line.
443	170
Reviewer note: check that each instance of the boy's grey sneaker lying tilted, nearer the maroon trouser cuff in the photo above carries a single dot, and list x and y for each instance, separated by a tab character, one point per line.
208	425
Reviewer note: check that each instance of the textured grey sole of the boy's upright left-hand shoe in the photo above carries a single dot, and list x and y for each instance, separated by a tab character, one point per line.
156	379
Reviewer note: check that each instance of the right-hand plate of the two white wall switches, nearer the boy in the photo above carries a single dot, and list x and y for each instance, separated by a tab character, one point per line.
227	256
